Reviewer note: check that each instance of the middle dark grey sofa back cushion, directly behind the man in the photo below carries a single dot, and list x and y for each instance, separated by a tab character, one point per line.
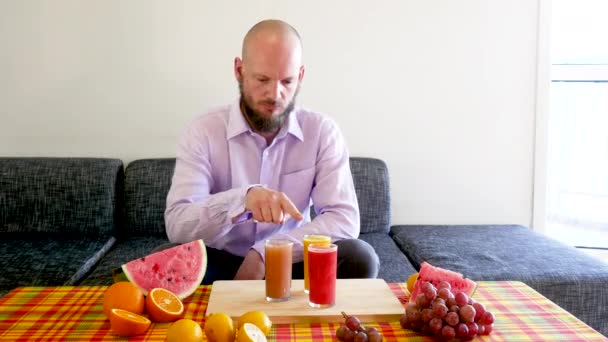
147	182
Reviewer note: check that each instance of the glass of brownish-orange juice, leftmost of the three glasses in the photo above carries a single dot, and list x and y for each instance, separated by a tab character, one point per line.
278	269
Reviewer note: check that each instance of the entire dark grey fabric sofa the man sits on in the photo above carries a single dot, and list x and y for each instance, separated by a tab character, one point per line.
70	221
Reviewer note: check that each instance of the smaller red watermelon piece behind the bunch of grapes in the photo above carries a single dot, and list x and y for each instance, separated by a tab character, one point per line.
435	275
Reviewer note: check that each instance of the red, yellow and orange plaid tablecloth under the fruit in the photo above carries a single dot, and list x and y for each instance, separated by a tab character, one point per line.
75	314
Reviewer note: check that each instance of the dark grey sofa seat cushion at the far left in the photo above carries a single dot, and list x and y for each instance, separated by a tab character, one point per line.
47	260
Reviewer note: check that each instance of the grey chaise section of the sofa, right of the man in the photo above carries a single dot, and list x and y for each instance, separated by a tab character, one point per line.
568	277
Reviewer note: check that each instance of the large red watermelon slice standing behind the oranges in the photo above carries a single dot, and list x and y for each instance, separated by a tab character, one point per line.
179	269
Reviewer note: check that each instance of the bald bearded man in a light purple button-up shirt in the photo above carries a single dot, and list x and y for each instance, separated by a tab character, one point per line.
250	171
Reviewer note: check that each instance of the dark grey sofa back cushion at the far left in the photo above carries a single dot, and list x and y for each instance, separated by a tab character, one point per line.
67	196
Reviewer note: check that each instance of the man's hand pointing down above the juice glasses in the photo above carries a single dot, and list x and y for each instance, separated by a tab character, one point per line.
270	206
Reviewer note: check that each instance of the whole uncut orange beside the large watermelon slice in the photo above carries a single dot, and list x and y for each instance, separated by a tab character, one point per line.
123	295
